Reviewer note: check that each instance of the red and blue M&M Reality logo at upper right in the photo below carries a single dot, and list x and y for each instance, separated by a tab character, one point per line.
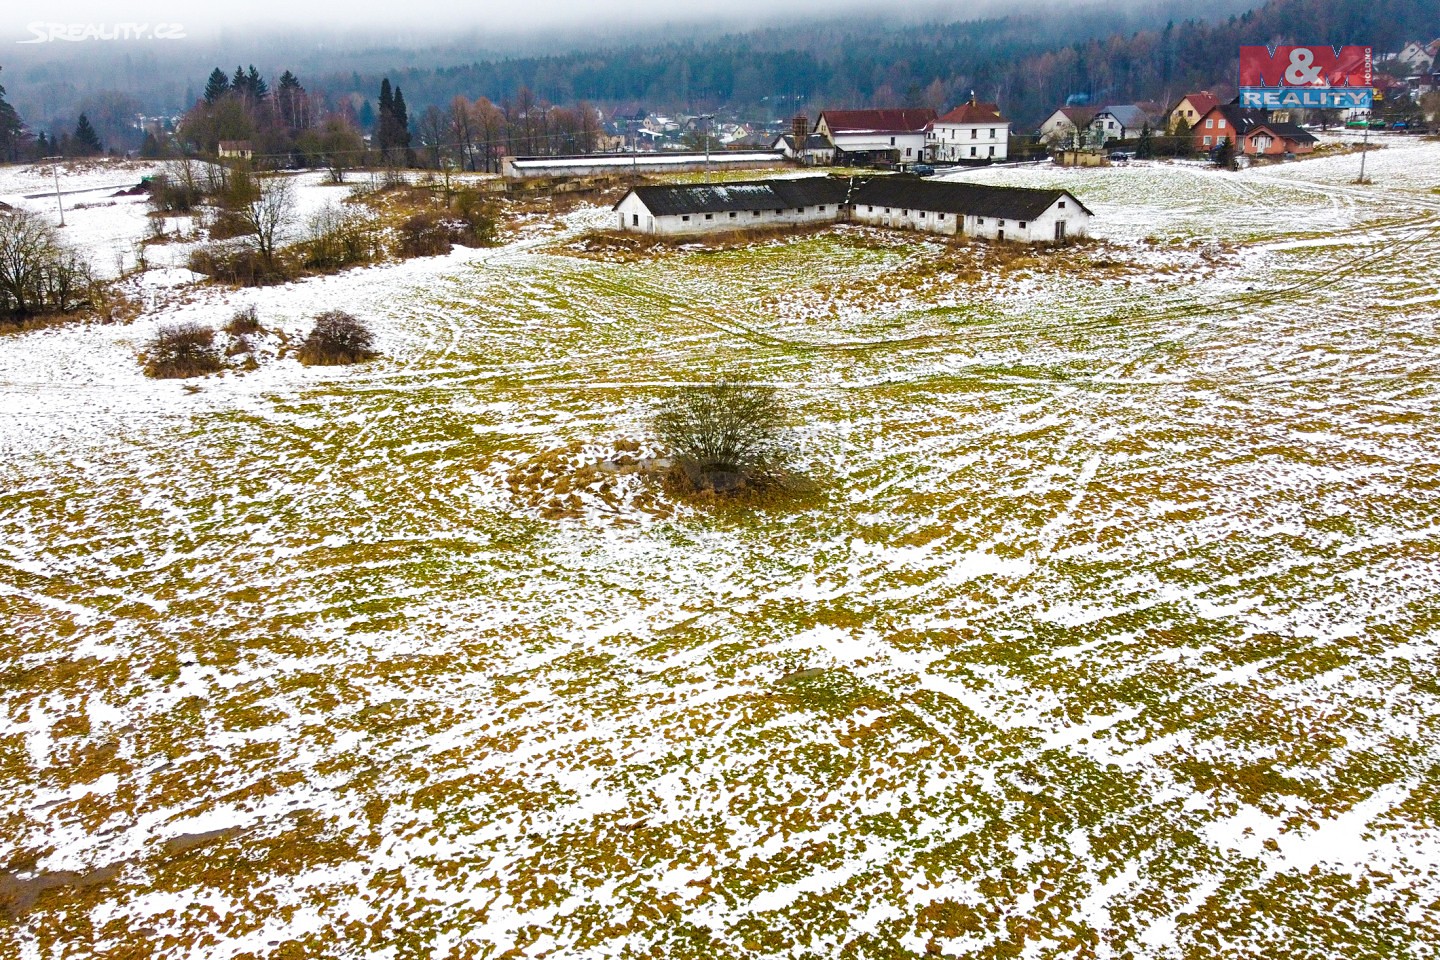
1320	77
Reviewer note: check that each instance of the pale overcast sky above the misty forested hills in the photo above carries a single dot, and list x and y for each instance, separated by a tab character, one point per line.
421	15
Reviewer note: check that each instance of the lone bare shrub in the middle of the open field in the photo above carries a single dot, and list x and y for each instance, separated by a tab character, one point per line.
725	437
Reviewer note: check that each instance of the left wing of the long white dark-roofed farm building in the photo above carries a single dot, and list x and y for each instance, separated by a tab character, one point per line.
685	211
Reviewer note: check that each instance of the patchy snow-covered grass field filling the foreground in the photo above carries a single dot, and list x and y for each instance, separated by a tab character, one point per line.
1115	633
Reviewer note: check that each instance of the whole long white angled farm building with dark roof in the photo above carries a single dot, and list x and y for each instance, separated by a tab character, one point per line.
905	204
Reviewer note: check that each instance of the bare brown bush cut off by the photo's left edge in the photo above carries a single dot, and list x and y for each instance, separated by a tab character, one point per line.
38	271
